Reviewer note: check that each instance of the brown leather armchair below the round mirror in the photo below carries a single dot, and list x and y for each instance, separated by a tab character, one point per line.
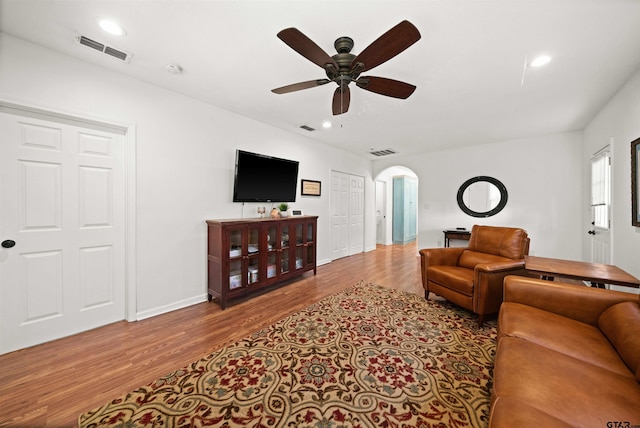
472	277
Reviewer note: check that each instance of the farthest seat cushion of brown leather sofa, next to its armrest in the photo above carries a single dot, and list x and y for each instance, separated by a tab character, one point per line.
573	338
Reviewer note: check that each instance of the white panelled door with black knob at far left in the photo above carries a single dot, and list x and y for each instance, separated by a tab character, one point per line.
62	199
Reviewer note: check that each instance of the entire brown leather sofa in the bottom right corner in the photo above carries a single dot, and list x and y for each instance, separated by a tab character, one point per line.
567	356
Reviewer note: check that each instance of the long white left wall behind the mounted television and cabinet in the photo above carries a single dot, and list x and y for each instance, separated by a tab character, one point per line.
185	161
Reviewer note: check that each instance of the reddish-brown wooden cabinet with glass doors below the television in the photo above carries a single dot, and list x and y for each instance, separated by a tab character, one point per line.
245	255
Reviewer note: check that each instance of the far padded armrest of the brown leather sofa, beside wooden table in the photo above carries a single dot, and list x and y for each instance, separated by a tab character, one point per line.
577	302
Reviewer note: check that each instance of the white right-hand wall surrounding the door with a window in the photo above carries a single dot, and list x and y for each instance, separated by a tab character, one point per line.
617	123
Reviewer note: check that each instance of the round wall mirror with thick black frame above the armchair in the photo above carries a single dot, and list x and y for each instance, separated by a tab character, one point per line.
482	196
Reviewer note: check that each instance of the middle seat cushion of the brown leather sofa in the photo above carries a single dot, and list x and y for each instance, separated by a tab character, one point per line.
571	390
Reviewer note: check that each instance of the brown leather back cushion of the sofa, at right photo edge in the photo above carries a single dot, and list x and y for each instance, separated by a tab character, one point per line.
621	324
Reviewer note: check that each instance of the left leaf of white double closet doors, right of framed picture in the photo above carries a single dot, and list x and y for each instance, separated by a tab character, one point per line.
339	215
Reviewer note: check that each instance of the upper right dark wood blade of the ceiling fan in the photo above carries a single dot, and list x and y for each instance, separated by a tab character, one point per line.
387	46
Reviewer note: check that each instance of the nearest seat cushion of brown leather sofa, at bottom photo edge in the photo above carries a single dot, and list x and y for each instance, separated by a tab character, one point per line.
507	412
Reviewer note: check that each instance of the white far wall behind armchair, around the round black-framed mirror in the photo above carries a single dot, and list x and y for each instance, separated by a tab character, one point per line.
543	177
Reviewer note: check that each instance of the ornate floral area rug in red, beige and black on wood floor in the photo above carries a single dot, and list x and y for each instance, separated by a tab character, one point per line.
366	357
